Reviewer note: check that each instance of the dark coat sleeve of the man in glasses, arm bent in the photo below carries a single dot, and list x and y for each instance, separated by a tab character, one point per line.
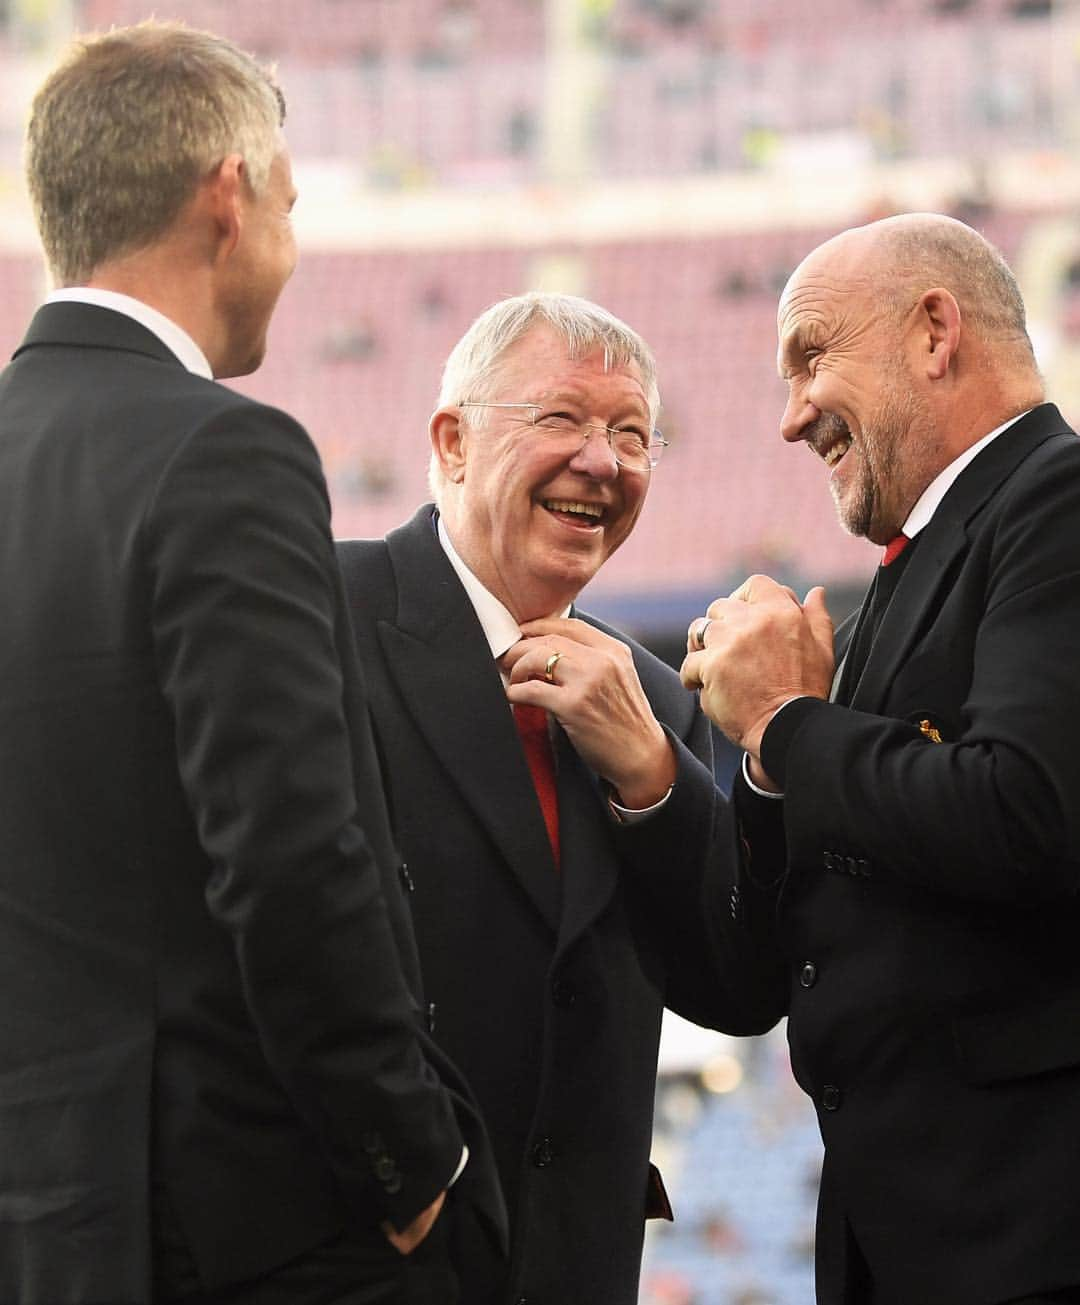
689	874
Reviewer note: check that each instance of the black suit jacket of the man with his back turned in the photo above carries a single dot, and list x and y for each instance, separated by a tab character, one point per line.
204	951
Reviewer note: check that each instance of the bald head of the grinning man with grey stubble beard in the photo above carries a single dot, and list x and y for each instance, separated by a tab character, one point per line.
903	344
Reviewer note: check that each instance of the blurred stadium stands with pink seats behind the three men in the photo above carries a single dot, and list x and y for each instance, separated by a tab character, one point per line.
674	161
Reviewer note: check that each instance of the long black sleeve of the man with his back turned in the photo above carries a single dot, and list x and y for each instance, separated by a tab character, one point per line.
243	593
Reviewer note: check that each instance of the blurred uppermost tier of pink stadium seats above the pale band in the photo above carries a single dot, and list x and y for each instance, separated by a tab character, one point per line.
415	92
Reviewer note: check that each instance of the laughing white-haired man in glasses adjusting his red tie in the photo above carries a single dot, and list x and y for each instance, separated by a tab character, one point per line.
550	784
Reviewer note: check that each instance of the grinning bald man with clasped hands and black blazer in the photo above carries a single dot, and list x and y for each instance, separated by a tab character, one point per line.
924	772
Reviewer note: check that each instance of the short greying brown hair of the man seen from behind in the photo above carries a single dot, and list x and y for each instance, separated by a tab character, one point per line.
127	126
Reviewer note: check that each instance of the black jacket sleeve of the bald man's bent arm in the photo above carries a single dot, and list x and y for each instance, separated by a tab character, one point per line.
992	814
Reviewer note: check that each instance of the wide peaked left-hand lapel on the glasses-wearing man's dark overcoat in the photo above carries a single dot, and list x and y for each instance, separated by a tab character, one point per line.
436	652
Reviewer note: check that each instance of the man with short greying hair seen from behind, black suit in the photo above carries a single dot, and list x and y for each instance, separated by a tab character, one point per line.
213	1081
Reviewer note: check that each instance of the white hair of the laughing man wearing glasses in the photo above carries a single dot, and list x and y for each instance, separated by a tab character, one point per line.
472	370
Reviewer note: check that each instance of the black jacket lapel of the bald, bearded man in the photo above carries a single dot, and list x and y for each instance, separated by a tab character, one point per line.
944	541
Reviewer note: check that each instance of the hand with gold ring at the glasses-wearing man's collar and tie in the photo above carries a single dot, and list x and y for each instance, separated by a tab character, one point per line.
593	690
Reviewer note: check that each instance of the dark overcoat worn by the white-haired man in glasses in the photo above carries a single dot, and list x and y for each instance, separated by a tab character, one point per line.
547	987
